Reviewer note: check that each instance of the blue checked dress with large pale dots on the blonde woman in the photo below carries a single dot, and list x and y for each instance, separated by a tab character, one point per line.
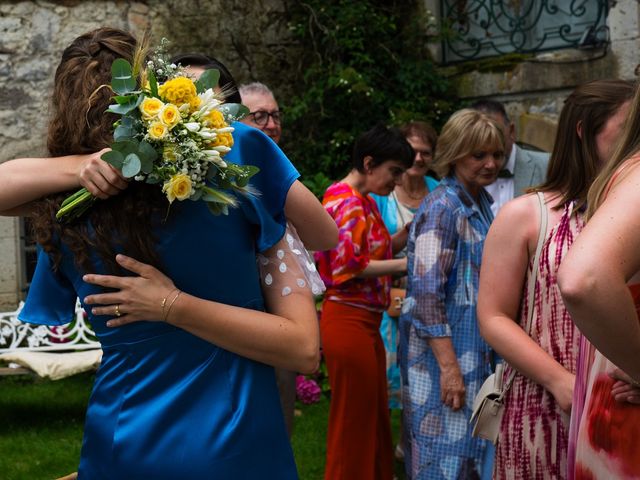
444	255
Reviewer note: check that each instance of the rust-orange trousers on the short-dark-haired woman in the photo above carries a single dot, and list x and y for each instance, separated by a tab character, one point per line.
359	444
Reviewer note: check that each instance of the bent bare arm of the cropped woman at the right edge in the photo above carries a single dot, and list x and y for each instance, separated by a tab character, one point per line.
594	275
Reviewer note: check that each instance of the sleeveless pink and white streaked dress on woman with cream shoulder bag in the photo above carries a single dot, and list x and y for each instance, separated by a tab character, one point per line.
534	432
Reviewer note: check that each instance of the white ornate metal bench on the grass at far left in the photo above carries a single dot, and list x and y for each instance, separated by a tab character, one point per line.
45	343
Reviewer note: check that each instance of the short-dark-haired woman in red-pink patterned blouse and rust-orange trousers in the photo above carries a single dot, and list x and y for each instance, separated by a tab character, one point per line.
357	274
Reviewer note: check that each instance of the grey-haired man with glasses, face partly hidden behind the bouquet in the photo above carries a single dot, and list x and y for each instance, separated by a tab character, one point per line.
264	113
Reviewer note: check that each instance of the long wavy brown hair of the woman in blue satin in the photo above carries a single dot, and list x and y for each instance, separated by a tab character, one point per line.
80	125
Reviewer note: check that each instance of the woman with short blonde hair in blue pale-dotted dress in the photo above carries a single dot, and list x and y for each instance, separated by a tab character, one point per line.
443	358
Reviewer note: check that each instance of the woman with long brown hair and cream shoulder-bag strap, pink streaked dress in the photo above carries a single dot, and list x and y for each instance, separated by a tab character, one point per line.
535	427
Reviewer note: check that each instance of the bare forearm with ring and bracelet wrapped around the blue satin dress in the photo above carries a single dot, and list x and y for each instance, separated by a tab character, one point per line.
287	337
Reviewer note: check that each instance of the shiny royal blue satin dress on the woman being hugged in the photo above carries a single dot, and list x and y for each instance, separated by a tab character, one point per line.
167	404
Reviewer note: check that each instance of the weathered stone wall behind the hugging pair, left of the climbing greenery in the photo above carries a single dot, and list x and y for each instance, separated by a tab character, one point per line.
249	36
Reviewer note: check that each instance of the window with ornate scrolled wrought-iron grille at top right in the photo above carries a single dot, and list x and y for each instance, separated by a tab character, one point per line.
485	28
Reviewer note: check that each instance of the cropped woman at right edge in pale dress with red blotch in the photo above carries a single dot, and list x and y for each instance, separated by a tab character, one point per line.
600	284
